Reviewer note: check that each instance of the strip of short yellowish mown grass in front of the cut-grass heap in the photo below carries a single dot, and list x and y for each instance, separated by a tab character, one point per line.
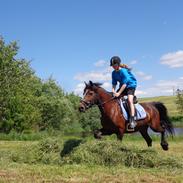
84	174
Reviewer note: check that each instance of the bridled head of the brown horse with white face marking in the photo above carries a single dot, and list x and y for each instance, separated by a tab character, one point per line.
90	96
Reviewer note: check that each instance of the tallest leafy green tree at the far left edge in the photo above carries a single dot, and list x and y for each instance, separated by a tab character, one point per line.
18	86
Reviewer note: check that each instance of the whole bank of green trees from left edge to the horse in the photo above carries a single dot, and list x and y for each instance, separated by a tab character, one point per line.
29	104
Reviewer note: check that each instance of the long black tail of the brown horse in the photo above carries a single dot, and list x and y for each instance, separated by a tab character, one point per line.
165	120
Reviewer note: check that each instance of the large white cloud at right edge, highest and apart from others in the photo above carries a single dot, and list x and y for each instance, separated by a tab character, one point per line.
173	59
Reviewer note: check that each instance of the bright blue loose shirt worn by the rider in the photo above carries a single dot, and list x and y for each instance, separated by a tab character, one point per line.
124	76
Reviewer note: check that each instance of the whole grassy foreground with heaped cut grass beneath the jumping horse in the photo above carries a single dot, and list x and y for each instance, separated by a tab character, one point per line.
75	160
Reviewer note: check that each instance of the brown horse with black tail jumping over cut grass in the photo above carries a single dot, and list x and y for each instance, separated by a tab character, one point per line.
112	119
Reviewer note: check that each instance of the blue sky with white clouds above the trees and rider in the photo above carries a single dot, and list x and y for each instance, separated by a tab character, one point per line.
73	40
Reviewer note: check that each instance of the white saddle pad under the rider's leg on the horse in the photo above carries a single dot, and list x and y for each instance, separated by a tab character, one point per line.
139	111
